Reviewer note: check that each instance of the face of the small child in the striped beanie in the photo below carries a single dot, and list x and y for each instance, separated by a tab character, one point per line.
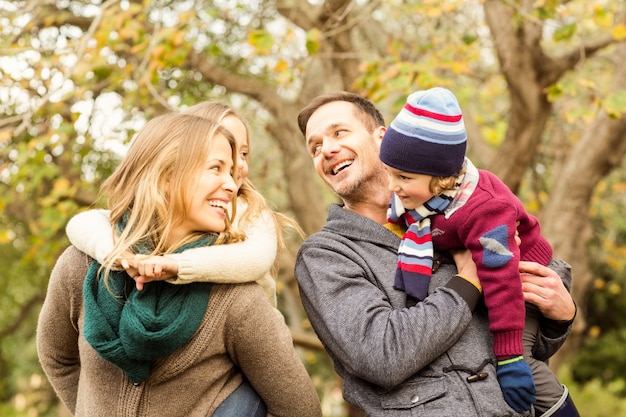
412	189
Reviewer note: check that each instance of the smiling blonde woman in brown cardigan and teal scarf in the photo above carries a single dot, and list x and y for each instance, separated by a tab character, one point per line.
176	350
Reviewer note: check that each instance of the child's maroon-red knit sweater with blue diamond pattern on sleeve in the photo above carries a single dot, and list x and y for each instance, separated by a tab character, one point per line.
486	225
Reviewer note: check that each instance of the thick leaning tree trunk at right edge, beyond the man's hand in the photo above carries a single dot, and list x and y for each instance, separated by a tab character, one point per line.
566	220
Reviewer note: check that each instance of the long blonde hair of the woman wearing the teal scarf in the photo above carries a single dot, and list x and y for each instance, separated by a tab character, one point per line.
150	189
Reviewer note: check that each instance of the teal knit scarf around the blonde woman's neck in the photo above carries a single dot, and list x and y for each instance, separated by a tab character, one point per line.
131	328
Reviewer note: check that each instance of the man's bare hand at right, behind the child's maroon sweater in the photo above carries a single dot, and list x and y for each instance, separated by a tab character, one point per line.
543	287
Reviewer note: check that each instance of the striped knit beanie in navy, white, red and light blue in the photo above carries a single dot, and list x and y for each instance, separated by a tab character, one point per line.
427	136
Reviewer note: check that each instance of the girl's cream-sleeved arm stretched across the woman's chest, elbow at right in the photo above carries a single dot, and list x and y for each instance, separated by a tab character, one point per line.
239	262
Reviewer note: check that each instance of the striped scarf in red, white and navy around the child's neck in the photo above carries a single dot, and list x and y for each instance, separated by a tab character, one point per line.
415	254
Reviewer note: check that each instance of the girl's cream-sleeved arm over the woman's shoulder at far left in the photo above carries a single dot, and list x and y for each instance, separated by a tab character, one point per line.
90	231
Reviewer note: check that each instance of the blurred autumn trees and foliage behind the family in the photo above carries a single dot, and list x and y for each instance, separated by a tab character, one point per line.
541	83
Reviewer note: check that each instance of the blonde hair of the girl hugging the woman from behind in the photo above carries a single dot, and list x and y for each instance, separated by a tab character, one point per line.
255	201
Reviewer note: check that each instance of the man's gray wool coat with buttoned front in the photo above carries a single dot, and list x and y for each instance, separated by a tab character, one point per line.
398	361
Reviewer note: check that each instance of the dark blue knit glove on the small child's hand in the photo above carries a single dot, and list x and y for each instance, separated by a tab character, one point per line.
516	382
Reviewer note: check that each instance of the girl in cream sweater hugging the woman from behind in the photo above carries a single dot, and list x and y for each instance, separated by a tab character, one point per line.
253	259
